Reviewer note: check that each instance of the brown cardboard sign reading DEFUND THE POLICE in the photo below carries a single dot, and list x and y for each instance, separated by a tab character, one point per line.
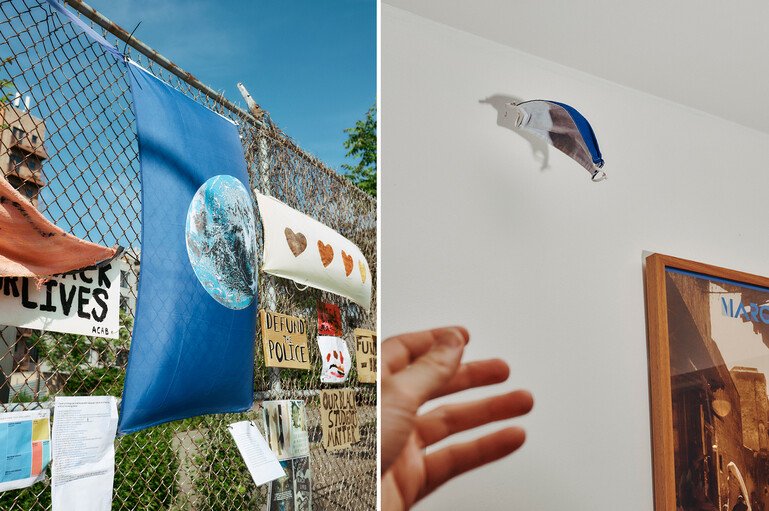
284	339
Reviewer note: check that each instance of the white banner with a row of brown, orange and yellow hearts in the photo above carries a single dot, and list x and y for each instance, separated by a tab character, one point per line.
304	250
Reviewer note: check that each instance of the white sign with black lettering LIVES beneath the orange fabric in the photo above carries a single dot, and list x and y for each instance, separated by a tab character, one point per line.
84	303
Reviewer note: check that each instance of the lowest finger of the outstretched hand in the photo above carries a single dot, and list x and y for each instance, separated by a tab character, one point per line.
457	459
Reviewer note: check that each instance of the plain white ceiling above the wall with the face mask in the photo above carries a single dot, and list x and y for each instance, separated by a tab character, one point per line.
712	56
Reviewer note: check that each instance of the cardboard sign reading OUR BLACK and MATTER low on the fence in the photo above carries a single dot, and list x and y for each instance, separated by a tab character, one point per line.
339	419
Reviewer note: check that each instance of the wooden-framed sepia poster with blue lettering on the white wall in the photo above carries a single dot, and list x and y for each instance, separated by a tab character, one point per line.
708	333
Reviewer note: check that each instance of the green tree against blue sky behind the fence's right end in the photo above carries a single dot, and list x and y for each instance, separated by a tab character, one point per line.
361	143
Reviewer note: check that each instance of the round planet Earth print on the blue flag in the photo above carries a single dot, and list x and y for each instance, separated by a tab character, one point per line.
221	241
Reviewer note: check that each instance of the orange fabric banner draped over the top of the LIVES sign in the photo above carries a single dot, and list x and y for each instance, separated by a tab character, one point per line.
31	246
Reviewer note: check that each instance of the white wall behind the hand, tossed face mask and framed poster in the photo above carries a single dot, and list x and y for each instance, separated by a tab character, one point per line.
544	266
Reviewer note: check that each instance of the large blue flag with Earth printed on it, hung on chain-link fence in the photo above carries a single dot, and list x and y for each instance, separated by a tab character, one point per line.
192	350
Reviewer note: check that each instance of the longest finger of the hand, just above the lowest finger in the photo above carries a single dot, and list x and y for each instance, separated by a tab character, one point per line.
447	420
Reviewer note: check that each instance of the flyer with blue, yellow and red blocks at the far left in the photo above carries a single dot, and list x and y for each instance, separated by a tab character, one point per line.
25	448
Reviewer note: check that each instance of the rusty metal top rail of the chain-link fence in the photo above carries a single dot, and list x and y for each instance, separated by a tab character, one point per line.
96	17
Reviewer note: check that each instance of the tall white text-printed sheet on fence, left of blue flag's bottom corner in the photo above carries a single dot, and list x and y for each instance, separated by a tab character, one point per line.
83	453
